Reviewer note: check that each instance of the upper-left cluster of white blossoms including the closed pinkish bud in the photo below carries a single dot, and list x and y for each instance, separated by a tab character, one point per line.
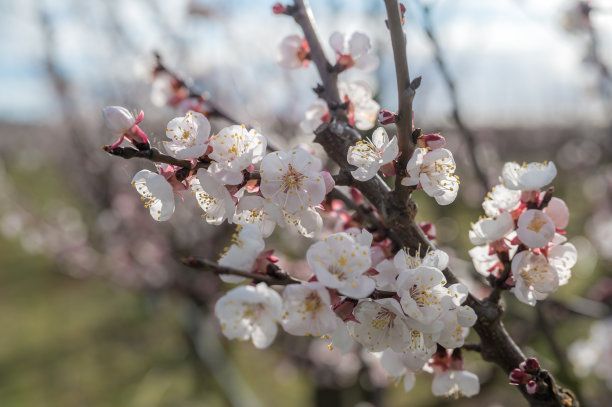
223	178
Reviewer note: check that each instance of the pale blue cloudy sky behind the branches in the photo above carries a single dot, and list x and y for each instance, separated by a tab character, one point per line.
511	59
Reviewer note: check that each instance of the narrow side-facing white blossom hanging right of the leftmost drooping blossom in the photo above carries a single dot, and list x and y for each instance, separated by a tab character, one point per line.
213	197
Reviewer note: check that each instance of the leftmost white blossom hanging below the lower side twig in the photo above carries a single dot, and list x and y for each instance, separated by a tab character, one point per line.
250	312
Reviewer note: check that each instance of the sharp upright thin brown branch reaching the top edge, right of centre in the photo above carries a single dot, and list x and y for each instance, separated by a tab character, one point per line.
405	93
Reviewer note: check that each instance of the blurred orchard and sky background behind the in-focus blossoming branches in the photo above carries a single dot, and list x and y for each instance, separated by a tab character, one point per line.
96	310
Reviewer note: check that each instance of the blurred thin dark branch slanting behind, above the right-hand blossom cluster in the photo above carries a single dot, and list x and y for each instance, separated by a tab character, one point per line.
468	135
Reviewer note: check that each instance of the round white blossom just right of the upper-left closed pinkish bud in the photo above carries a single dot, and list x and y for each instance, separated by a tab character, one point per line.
188	135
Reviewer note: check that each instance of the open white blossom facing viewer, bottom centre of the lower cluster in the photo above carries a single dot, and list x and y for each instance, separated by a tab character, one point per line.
380	325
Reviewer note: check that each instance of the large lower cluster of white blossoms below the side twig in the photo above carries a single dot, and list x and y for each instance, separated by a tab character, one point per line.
404	328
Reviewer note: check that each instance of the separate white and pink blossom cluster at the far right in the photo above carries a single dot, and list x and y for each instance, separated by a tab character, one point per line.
524	233
